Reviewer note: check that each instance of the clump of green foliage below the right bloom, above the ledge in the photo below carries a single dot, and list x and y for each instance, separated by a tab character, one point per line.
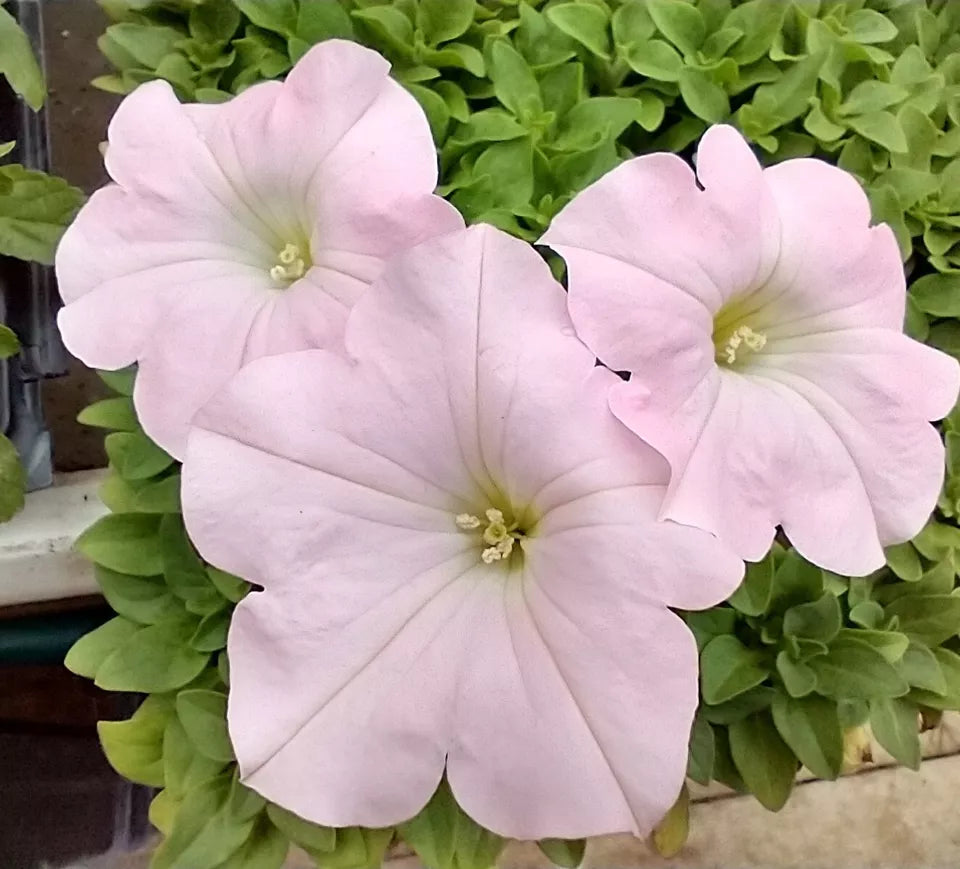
797	657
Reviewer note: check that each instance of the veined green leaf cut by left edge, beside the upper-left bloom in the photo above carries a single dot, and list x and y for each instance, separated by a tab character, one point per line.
35	208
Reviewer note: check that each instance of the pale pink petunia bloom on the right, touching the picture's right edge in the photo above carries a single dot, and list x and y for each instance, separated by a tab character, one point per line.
760	318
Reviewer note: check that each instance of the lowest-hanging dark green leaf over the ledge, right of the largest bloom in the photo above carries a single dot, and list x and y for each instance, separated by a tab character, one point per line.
763	759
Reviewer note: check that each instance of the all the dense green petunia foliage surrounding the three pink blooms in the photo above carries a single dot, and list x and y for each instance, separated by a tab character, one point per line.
530	101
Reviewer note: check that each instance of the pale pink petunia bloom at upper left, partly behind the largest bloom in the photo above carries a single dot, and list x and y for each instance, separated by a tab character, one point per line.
244	229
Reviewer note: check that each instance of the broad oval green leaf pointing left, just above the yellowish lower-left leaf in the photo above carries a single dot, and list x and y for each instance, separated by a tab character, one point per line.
155	659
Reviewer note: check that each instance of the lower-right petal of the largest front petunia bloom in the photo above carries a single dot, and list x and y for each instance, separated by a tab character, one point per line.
584	739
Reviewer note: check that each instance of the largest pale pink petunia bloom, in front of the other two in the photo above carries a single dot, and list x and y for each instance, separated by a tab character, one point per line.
461	563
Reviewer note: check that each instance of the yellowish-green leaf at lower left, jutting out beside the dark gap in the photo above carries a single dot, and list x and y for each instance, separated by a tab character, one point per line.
134	748
